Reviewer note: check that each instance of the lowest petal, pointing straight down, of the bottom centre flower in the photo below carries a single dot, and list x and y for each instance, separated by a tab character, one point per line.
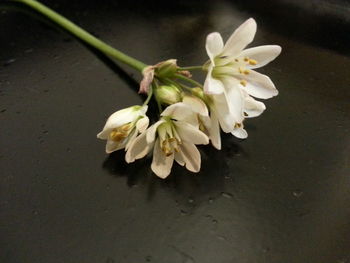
161	164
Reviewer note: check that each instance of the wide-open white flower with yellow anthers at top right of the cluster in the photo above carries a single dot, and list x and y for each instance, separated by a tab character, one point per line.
231	64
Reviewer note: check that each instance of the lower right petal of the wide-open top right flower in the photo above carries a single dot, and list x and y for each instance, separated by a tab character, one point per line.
259	85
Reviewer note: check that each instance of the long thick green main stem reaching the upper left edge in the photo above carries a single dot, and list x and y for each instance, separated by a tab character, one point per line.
84	35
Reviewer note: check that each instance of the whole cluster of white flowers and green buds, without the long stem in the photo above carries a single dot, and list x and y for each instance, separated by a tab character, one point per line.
191	113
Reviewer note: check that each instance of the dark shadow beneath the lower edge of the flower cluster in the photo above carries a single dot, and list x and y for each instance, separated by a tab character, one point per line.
210	181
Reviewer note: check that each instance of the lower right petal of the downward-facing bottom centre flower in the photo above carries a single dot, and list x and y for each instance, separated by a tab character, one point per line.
191	157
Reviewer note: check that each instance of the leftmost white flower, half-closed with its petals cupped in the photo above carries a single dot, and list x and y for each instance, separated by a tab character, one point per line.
123	126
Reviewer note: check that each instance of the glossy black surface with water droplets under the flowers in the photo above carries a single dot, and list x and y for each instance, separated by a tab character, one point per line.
282	195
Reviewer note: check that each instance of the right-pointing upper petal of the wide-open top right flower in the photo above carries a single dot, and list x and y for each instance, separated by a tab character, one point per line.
262	54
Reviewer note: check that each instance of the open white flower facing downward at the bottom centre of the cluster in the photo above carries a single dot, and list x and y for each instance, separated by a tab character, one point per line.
172	138
